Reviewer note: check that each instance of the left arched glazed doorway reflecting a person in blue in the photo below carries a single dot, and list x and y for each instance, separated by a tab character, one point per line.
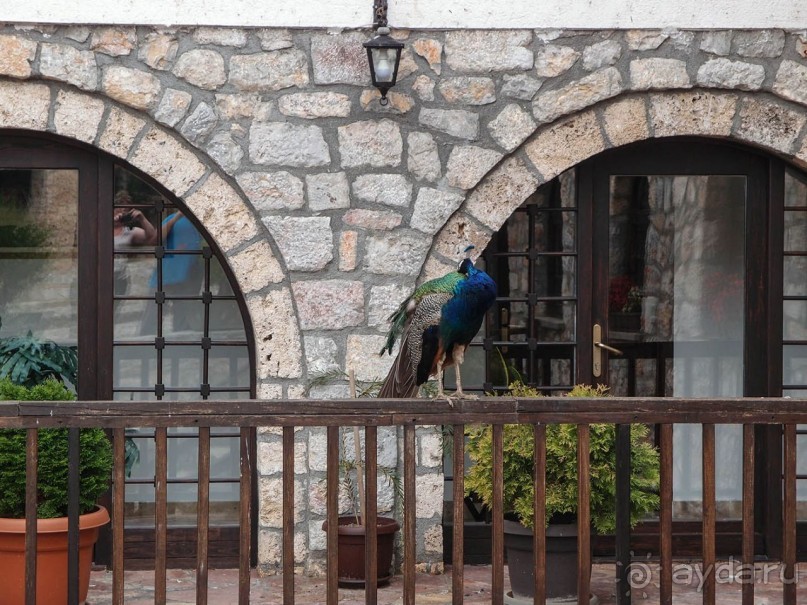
103	261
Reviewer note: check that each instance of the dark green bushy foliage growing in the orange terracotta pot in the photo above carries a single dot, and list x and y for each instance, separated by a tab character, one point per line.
95	462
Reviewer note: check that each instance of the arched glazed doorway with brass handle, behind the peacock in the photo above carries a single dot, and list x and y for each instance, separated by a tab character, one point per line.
686	255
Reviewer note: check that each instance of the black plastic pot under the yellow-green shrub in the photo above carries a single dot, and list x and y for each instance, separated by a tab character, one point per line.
561	560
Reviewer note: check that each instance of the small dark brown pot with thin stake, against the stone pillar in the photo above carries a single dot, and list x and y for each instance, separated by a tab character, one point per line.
351	550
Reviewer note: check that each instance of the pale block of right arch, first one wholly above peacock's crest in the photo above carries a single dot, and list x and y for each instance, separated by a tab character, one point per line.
495	199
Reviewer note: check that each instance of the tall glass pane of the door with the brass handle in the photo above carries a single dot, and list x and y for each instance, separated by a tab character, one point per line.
675	307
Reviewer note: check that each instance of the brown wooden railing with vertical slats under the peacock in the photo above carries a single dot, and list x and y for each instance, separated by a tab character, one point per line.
372	413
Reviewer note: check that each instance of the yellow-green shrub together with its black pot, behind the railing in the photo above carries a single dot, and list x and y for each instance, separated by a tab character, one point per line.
561	490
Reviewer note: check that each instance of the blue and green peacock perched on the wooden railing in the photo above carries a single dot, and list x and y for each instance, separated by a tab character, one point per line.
436	323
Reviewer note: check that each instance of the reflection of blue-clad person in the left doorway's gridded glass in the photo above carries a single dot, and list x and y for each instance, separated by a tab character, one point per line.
181	273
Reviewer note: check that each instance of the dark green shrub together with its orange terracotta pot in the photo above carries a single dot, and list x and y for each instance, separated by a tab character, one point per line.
95	468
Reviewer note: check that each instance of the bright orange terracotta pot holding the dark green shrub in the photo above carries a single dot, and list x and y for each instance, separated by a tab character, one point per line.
51	558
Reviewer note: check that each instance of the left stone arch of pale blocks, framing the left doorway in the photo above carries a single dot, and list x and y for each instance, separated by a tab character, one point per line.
193	178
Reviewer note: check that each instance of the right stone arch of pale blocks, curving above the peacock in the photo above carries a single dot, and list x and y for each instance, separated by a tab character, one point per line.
757	119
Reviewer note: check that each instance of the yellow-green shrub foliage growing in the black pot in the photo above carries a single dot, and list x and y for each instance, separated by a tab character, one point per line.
561	468
